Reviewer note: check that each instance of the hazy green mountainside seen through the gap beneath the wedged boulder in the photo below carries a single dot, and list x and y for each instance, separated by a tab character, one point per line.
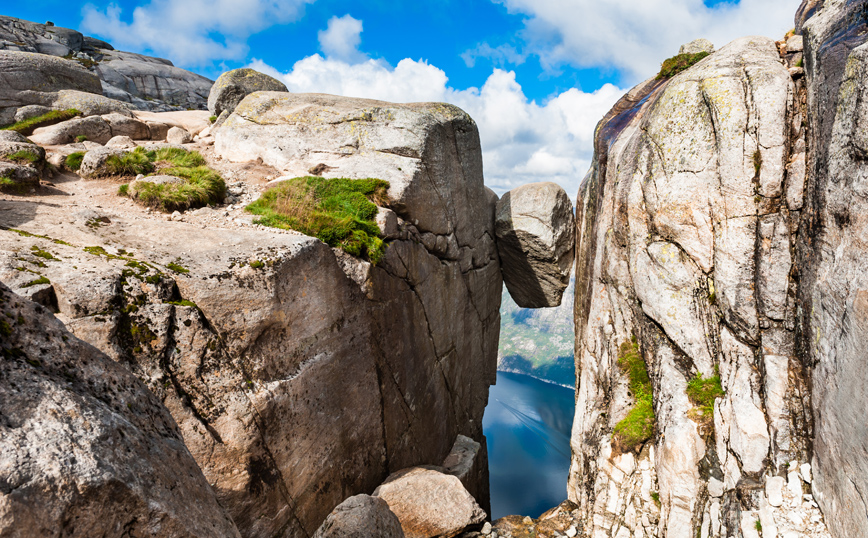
538	342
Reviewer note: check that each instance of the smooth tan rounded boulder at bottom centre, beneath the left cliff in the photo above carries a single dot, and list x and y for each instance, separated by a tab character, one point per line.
429	503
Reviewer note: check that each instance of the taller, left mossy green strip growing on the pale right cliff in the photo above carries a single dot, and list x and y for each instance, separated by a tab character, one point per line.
638	426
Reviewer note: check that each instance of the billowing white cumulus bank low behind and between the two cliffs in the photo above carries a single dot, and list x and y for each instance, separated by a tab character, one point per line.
522	140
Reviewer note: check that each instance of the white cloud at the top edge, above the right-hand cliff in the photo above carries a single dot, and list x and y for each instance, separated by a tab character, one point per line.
638	36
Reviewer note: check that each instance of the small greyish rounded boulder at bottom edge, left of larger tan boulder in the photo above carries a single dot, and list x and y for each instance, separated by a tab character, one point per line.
361	516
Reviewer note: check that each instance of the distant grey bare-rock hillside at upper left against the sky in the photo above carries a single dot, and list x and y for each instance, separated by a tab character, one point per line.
142	81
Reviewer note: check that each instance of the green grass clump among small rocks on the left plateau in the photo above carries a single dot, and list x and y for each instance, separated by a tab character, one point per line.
203	186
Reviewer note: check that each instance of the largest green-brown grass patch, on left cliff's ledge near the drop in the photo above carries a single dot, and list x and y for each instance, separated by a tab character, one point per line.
339	212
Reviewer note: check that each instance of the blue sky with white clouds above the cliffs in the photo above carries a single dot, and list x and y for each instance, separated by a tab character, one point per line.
536	75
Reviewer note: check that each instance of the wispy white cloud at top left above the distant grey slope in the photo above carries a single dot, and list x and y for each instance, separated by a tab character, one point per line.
185	30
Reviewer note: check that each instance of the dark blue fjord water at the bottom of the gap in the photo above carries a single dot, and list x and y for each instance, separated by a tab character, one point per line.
527	424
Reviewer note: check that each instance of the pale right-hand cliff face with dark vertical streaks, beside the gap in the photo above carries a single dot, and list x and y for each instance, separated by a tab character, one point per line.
685	236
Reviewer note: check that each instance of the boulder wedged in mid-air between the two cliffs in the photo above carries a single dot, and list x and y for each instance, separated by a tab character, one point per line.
535	229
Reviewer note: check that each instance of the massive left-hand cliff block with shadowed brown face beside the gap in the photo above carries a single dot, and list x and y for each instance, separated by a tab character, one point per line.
298	375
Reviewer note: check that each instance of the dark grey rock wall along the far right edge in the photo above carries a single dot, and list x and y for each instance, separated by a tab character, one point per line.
830	253
